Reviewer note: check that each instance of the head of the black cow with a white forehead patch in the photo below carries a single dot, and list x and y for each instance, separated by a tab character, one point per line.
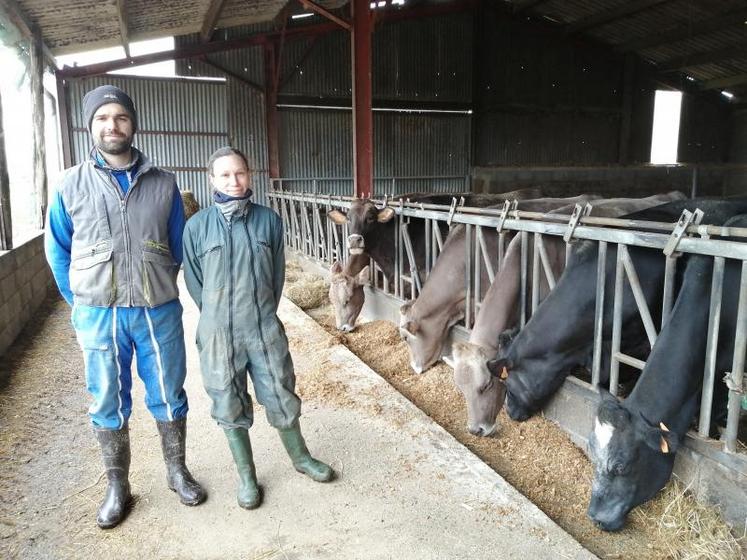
632	458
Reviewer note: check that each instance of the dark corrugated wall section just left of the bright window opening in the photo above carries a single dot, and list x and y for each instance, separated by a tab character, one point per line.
543	100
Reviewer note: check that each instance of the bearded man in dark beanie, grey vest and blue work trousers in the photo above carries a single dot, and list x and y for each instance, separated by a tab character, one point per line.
113	243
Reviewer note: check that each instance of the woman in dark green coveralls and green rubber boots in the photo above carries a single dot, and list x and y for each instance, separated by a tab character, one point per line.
234	267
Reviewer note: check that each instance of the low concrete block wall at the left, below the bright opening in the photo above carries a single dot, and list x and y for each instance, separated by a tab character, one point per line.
25	279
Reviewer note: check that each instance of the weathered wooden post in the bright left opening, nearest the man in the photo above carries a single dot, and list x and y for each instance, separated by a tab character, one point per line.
37	115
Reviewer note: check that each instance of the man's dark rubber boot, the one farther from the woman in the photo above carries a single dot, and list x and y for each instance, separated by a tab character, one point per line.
115	451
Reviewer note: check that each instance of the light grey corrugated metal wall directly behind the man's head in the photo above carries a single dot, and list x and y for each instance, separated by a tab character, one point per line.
180	124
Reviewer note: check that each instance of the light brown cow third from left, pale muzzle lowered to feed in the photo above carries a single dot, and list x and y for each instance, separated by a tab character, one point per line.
425	321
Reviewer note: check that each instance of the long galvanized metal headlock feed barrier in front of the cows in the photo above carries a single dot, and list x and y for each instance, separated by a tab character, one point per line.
309	232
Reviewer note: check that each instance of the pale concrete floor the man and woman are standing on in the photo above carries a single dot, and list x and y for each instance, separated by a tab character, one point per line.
406	489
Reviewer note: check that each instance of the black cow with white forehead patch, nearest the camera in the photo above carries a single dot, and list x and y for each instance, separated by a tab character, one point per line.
633	443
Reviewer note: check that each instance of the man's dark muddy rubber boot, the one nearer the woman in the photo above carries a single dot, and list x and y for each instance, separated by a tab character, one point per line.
173	444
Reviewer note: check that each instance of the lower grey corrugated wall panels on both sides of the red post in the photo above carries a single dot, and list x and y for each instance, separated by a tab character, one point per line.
318	143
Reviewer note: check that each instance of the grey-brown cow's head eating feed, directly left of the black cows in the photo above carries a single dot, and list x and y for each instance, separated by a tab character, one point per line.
483	392
